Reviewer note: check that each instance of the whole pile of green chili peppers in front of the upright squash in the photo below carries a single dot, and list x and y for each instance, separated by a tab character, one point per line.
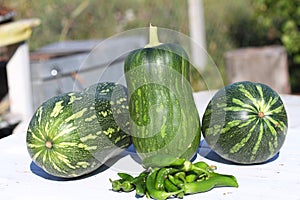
180	178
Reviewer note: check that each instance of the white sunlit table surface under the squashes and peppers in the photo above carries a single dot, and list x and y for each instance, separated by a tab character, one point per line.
279	178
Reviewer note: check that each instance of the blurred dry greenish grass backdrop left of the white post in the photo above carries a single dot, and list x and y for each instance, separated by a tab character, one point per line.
98	19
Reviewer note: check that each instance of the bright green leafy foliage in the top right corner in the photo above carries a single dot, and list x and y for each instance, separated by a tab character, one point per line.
282	18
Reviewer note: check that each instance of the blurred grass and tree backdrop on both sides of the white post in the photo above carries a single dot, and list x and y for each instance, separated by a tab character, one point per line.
229	24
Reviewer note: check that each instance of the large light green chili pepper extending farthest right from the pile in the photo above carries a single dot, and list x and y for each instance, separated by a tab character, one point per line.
216	180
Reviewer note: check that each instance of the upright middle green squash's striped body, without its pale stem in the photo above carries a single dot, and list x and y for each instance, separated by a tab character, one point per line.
164	117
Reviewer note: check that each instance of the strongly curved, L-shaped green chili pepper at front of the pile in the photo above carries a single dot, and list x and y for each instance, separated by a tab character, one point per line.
153	192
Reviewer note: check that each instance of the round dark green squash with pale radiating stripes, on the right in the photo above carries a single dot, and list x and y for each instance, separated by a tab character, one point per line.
245	122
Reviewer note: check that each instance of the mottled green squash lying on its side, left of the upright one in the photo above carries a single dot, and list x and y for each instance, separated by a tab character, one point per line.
74	133
